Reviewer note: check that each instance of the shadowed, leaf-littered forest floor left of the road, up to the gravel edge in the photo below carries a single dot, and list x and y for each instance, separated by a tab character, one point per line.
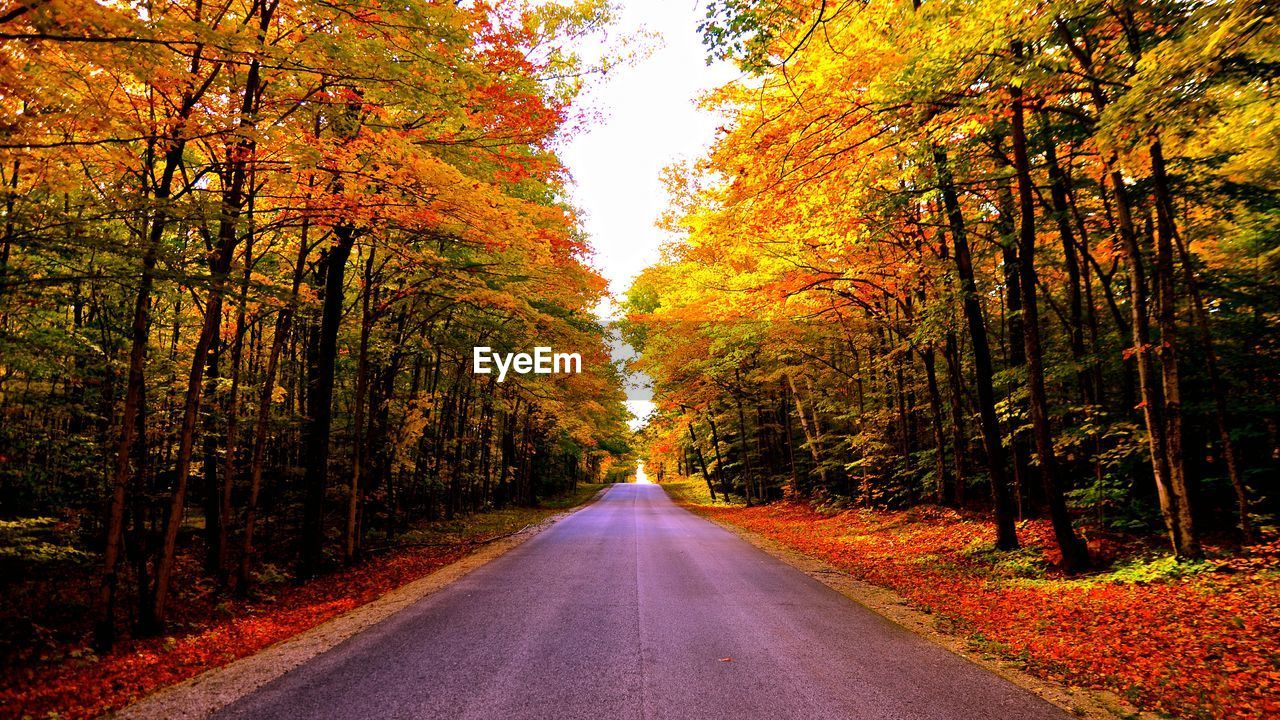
68	681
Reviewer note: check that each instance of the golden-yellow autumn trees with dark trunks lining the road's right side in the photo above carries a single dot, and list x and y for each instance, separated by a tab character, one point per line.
1011	254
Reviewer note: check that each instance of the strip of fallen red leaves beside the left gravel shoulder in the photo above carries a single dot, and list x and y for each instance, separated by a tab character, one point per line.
93	687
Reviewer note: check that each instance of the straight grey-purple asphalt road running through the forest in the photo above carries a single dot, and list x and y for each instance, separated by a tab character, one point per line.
629	610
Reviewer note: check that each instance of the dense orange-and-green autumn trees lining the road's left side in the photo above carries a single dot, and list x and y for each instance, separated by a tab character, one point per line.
248	248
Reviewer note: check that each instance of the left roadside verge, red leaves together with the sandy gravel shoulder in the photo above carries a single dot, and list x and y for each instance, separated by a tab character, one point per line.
309	618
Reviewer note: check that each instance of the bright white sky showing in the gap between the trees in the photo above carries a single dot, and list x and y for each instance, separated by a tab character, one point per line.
647	119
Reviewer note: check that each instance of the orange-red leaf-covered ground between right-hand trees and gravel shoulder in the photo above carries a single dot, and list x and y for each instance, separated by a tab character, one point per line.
1191	641
